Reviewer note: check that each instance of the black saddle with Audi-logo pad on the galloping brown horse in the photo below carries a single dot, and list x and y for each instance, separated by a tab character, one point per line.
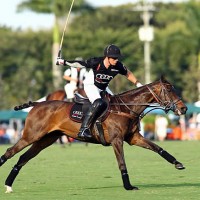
80	108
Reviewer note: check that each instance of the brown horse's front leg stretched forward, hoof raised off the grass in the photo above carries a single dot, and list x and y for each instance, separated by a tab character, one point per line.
139	140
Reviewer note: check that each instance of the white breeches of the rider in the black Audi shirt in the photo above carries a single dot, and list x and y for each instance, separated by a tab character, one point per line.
93	92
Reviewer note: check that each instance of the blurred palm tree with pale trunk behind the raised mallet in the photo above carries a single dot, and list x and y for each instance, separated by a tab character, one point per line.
59	8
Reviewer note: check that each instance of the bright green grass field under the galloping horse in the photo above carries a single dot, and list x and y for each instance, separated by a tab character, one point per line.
91	172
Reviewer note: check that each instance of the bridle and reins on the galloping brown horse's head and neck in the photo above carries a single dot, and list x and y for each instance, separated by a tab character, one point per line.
166	103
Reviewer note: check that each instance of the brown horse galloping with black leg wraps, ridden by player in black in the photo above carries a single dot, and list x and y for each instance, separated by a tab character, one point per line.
48	120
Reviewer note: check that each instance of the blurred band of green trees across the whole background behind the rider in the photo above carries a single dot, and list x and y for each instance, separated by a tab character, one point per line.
25	68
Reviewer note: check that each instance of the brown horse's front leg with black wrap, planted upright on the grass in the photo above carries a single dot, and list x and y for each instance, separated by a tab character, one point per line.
117	145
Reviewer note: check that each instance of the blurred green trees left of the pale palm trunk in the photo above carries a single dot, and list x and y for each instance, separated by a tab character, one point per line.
25	69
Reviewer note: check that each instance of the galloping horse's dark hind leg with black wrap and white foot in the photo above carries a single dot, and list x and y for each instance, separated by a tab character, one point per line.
29	154
